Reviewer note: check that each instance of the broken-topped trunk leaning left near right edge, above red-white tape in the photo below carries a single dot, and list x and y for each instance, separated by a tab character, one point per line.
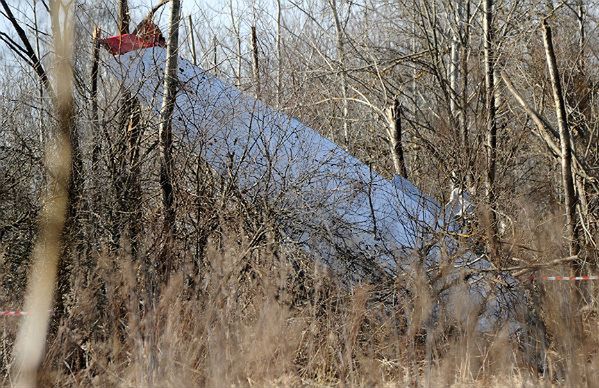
565	145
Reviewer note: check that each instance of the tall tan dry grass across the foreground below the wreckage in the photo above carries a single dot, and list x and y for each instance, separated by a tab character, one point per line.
260	315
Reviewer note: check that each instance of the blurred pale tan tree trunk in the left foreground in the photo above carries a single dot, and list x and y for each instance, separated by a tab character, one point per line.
31	338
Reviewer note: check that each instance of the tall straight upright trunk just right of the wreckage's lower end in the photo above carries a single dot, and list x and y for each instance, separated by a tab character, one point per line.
491	141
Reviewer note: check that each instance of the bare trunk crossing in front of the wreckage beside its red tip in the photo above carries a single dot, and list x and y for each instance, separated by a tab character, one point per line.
165	129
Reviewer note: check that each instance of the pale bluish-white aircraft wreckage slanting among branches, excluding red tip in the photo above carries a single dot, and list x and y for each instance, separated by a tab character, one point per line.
362	225
